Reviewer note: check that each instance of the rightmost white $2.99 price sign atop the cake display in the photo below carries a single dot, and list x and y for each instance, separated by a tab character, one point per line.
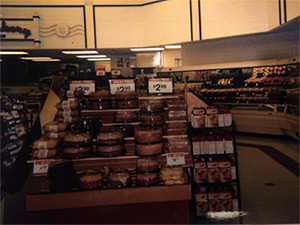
160	85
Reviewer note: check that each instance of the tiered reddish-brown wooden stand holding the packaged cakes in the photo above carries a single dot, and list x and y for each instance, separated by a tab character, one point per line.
154	204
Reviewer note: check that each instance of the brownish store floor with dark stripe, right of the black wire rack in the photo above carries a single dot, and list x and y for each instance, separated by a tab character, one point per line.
269	190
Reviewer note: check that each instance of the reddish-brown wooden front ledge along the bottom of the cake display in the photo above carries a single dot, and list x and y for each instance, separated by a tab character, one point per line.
109	197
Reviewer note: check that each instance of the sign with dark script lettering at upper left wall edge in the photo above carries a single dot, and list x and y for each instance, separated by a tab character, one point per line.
19	29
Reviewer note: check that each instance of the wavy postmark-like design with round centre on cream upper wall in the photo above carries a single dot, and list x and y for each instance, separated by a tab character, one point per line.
61	30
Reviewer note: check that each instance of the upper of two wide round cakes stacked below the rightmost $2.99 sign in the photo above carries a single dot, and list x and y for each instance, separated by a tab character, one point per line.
146	135
